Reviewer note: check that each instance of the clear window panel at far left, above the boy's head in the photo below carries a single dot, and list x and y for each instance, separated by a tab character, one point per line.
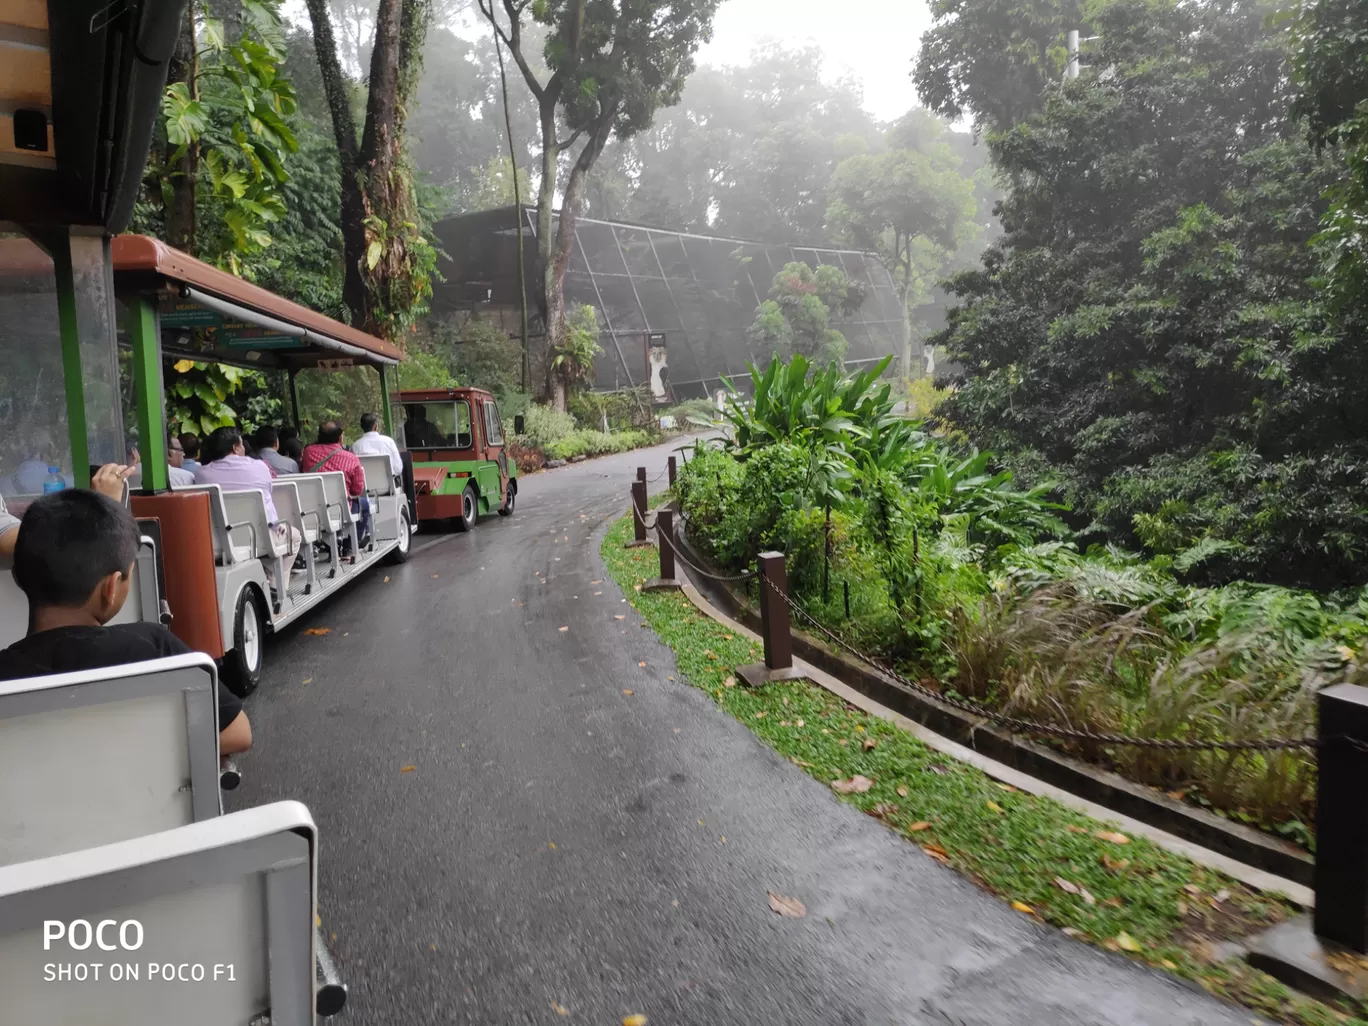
34	408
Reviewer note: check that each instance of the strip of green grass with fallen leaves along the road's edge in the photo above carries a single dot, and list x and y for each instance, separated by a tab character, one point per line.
1157	906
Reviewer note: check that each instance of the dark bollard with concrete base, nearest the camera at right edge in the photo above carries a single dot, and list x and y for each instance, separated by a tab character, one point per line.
1324	954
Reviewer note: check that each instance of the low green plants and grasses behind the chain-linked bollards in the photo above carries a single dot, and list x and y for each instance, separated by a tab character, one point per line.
936	559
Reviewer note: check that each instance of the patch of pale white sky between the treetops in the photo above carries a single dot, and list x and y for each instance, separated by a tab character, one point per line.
875	40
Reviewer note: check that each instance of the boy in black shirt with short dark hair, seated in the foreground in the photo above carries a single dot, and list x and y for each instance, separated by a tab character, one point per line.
75	560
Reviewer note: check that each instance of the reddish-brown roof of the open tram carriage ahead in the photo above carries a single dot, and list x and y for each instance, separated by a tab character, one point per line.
207	314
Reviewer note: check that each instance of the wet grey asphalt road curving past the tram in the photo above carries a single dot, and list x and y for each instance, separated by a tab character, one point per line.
443	886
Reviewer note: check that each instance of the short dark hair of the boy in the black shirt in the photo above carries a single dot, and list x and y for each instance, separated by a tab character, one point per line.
69	542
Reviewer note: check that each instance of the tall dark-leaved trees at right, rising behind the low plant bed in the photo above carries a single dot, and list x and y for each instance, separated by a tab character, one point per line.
1151	332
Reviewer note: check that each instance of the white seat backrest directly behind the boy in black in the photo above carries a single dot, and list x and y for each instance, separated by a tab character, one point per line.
101	756
